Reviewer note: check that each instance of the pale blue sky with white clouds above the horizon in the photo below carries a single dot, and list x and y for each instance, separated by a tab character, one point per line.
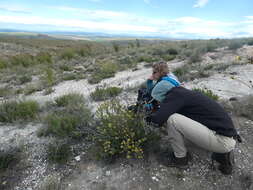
201	19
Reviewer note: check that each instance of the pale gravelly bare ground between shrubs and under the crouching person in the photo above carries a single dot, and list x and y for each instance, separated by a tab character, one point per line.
147	174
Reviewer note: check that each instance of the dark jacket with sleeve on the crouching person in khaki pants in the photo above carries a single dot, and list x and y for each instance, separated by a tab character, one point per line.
196	106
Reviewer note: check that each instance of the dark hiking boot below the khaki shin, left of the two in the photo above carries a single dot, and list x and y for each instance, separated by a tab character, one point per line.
181	163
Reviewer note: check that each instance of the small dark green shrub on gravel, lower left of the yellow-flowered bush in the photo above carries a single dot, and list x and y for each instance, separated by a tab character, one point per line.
59	152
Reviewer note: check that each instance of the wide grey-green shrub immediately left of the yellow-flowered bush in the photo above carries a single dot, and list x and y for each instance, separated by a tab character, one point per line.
70	118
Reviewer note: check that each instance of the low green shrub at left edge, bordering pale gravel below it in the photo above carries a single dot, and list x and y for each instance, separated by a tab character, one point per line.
18	110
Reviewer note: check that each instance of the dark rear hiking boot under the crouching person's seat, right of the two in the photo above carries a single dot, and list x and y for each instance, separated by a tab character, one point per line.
226	161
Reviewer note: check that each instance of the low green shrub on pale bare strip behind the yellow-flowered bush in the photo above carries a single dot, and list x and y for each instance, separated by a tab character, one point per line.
101	94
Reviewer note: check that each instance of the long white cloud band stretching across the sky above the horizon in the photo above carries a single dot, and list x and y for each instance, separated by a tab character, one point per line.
125	23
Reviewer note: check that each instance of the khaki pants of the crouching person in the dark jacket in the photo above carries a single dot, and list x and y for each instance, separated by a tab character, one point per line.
180	127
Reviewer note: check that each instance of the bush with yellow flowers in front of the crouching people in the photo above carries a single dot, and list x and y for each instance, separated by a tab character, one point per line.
119	132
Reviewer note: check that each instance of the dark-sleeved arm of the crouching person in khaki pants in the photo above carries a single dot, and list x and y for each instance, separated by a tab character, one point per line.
172	104
